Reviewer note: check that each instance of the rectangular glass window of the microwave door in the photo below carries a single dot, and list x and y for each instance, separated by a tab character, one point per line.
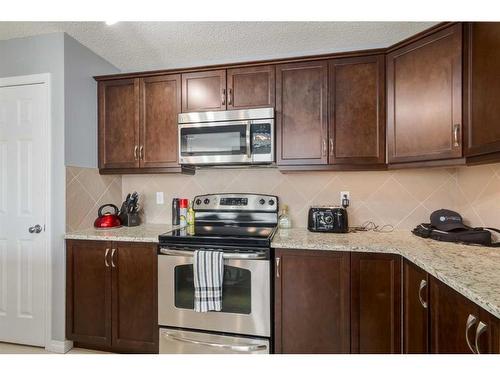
213	140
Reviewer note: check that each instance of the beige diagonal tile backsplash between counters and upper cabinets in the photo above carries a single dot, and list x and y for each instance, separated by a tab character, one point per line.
401	198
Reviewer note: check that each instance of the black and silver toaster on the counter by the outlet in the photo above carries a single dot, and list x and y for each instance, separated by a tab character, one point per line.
328	219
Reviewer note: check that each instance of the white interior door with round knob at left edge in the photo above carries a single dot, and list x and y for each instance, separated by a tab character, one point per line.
23	174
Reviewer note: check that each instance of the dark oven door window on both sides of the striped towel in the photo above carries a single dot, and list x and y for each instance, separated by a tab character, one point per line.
236	289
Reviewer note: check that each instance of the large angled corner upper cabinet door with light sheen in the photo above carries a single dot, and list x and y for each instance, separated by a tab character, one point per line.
424	98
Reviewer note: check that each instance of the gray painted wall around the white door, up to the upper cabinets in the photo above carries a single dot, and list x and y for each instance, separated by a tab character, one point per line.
73	102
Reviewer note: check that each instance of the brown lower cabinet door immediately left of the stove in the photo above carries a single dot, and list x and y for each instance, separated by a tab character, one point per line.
135	300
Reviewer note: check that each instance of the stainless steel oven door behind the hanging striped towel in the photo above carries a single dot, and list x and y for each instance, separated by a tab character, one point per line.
245	296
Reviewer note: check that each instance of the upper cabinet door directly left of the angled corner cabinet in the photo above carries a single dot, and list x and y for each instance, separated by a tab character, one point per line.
357	110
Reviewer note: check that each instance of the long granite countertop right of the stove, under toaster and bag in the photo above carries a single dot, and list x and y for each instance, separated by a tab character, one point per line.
473	271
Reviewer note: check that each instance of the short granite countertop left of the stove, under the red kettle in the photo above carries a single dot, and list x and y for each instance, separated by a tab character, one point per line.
141	233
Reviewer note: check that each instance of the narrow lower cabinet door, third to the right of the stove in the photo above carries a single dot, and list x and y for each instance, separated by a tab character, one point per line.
415	309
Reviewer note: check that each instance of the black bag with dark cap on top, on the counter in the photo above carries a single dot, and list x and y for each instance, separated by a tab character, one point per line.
447	226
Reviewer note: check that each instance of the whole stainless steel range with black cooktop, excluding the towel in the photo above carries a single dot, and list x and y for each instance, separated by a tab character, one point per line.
240	225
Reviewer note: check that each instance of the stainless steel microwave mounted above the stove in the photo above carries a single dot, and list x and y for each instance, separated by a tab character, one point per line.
227	137
